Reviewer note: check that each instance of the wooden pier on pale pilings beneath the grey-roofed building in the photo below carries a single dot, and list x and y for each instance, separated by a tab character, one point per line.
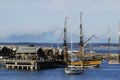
27	64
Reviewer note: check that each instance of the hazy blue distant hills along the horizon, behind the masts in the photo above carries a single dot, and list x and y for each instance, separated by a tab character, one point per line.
48	37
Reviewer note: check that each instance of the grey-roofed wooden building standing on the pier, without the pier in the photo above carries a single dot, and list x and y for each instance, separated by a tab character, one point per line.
30	53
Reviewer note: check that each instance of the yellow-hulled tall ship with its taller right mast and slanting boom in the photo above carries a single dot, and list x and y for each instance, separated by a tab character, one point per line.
86	60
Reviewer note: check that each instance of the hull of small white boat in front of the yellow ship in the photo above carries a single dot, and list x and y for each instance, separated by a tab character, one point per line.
73	69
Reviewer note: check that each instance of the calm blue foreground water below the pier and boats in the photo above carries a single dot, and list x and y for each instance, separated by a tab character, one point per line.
105	72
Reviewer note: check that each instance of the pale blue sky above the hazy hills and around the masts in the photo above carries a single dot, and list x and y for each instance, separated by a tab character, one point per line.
36	17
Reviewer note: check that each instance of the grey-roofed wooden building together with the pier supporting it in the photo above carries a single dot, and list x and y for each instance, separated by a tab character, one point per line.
29	58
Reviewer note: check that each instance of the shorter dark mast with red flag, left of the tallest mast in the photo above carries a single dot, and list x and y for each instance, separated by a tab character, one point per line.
65	42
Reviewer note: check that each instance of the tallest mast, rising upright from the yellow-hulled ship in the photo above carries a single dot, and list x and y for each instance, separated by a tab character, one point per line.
81	38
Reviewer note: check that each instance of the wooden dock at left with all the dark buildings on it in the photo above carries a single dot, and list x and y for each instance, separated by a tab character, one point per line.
28	58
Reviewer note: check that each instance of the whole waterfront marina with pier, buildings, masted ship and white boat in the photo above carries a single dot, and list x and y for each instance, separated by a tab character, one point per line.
35	57
